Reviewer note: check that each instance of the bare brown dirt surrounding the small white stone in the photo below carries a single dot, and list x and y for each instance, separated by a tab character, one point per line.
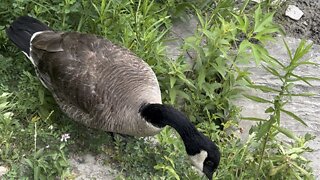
308	26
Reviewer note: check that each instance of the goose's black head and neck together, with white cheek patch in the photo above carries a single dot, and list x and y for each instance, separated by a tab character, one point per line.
202	151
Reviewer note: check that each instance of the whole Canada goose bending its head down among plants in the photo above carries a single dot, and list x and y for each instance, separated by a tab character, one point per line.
105	86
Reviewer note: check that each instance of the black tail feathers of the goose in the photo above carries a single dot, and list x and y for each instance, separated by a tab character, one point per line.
21	30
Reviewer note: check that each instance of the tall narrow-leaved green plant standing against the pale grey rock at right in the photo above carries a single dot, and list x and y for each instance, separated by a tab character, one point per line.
290	160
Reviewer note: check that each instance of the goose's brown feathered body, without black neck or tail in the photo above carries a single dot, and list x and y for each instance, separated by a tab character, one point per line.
96	82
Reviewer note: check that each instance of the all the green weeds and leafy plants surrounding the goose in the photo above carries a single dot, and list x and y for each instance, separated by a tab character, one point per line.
32	126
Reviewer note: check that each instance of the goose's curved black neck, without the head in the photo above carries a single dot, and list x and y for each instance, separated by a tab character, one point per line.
161	115
